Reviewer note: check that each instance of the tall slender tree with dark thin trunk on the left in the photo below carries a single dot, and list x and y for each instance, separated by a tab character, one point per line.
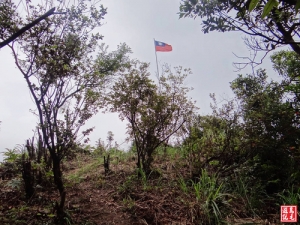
64	76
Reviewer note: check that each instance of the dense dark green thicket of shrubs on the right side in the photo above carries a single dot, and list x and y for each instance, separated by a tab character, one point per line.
252	145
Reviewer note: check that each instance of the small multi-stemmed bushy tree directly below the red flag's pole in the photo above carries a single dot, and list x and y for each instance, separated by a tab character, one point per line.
154	114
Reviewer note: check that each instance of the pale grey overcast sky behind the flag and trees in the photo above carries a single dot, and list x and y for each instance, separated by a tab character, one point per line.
136	22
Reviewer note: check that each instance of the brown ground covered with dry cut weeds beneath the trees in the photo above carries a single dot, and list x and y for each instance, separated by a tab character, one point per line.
120	197
